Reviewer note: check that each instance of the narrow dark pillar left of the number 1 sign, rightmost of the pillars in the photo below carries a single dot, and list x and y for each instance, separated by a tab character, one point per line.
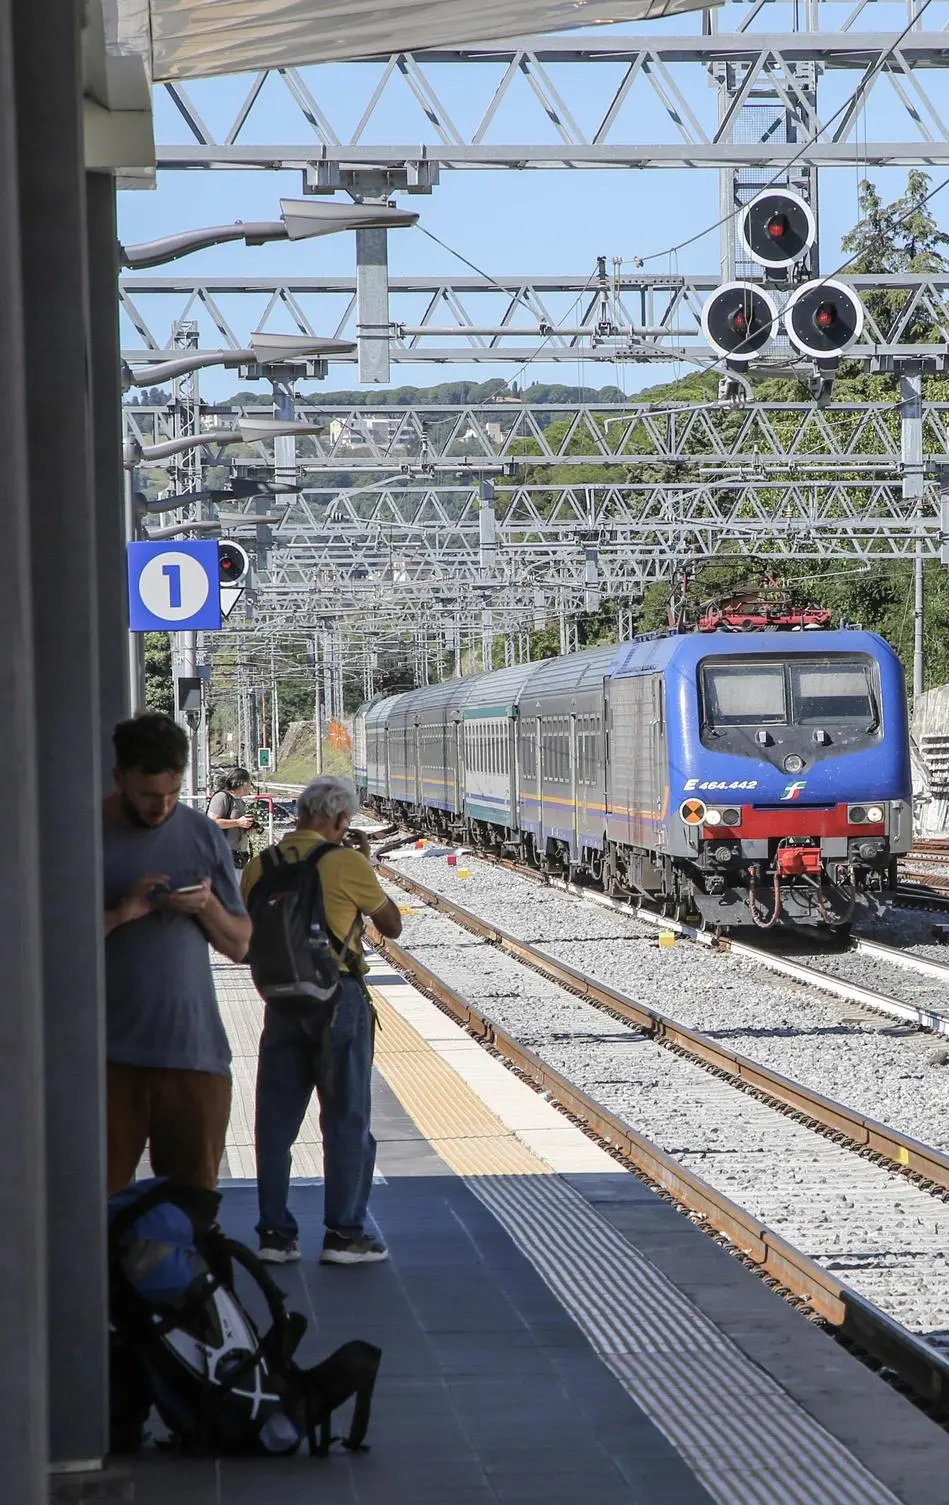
111	478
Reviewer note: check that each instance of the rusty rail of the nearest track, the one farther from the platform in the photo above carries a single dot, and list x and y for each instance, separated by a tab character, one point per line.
867	1134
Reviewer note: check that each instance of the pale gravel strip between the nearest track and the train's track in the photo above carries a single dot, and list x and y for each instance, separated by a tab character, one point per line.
876	1066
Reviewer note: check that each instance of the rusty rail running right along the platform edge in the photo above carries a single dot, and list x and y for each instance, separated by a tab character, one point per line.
855	1319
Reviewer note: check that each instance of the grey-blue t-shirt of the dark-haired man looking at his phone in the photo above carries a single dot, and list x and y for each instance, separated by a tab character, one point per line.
160	1000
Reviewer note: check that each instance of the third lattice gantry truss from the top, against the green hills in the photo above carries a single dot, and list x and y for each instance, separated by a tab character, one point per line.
852	436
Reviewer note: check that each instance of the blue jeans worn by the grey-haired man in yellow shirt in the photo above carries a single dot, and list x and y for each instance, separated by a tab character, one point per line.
287	1078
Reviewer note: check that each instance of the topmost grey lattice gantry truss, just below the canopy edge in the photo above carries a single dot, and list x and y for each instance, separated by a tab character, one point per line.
535	114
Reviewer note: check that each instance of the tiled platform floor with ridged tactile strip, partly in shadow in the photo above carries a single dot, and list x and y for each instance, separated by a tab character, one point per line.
551	1330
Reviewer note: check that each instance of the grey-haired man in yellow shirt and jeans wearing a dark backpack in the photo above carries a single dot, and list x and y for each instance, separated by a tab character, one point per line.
288	1068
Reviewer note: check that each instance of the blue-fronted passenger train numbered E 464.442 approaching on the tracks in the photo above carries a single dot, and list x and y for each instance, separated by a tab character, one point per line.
733	777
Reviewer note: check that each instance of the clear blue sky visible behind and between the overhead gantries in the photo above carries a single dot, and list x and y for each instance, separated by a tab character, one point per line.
505	222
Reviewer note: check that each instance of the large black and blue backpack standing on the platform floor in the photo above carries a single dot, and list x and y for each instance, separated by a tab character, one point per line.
184	1343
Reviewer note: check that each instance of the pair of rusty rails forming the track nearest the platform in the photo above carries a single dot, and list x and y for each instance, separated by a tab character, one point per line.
852	1315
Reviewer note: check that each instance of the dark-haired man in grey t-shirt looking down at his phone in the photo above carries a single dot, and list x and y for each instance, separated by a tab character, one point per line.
171	893
